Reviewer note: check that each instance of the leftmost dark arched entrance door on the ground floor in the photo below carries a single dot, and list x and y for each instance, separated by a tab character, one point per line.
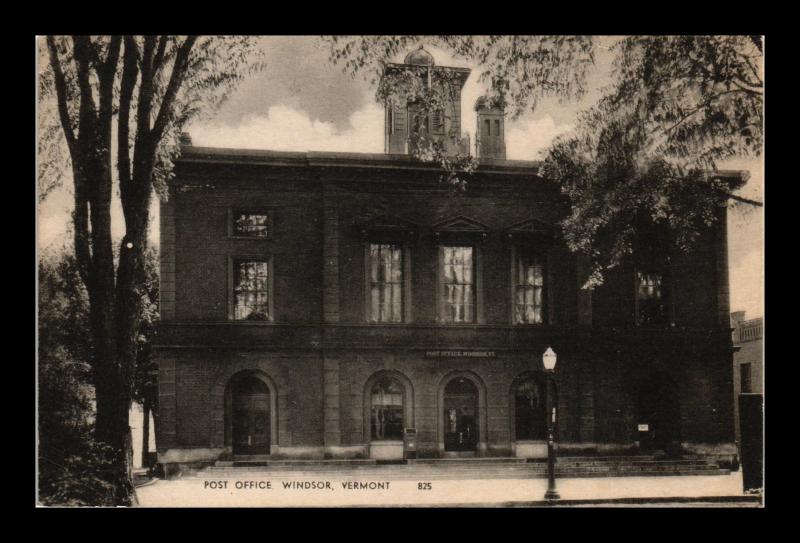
251	429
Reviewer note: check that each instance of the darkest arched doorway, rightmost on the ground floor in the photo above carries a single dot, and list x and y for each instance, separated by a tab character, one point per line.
659	410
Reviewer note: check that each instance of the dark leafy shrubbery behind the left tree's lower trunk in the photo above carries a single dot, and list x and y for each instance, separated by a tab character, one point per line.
73	466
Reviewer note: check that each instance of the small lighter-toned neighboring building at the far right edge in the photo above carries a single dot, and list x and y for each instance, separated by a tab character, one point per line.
748	358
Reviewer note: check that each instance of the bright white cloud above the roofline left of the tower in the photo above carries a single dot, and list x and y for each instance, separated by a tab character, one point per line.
285	128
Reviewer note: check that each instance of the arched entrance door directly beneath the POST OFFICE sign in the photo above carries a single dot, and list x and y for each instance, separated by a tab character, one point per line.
461	415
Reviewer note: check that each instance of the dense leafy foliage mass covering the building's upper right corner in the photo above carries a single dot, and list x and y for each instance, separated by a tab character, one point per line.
643	159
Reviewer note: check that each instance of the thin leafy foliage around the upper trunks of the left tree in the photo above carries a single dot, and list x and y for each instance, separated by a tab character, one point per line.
216	65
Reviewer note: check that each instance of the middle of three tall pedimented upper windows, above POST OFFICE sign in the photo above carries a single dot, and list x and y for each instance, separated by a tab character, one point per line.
457	284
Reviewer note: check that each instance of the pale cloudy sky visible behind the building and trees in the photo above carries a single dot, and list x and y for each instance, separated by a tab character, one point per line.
301	102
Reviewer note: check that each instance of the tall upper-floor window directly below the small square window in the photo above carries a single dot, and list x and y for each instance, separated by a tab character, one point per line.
251	290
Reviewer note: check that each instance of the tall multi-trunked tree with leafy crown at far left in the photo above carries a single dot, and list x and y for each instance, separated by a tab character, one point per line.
151	86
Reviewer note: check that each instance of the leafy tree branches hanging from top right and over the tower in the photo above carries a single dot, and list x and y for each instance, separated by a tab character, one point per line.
642	160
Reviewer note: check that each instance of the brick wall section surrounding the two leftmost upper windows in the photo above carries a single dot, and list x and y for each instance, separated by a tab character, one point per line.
203	247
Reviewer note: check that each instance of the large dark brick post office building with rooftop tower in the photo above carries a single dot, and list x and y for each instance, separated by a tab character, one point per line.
316	304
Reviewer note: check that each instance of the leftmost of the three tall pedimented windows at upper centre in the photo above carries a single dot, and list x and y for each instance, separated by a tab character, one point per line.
385	282
